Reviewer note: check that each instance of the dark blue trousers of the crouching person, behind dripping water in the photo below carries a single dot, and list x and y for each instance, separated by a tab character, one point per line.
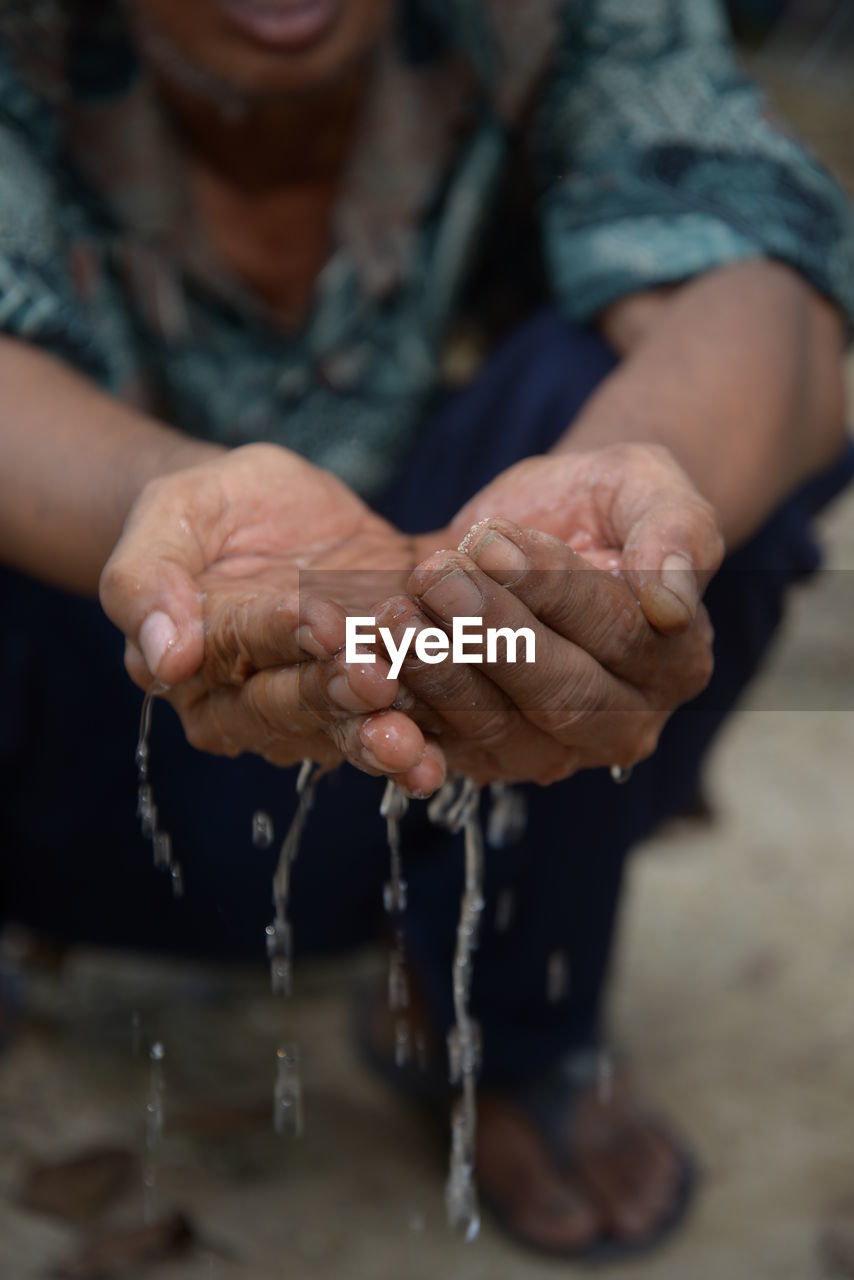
75	865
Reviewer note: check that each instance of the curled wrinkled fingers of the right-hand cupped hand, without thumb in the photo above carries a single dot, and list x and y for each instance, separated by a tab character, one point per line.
604	682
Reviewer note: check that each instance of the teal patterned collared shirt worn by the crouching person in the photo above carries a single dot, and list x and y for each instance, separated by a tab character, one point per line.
624	131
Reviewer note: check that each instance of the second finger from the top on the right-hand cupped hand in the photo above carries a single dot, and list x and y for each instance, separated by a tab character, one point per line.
564	688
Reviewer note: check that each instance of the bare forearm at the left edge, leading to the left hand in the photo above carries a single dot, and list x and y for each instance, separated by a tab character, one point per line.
72	463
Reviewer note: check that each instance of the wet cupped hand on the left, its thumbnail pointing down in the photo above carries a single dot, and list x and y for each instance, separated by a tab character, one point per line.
205	587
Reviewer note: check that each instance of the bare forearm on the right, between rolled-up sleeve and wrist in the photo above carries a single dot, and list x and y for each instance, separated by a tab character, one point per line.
739	374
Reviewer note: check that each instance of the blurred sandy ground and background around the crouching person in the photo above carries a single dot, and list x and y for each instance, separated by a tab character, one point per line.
733	995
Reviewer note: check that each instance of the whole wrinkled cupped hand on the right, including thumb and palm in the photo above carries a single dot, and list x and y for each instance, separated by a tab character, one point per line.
609	575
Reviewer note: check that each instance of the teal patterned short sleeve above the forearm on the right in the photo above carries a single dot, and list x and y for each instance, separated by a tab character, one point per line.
659	161
